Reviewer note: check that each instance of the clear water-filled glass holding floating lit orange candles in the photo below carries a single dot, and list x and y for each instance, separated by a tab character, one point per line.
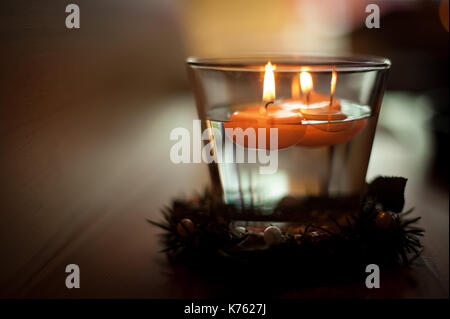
289	136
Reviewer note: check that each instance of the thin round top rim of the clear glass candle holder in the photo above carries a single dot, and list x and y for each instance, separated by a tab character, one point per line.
291	63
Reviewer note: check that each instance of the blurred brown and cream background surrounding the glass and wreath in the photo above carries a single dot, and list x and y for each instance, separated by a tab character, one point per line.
85	116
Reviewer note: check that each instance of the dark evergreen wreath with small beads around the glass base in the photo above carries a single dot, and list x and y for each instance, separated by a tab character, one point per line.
197	232
